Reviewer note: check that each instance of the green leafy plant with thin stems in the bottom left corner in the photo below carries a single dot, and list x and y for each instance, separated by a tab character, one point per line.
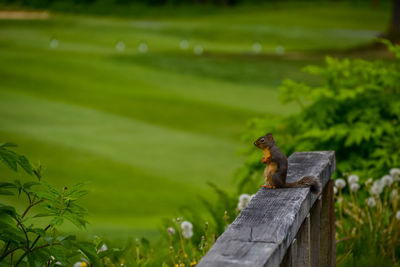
25	241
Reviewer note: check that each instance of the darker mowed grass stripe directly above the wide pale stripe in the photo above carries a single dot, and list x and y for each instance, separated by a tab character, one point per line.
144	93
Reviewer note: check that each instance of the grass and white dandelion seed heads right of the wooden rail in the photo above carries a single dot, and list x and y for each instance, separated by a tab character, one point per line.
368	221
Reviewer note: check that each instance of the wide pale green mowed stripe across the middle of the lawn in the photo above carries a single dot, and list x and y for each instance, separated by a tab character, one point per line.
162	152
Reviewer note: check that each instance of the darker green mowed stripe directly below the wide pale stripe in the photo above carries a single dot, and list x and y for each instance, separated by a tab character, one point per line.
115	188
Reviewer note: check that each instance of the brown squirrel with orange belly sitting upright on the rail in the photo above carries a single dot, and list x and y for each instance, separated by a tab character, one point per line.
277	165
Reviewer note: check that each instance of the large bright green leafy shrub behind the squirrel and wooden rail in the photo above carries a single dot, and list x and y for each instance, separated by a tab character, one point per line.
354	110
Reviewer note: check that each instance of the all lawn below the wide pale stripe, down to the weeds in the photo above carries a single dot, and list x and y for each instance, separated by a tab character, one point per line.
121	201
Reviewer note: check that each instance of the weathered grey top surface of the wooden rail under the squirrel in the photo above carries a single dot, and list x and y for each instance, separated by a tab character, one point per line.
264	230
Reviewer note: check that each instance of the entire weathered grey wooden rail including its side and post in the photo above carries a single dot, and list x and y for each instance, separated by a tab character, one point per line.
283	227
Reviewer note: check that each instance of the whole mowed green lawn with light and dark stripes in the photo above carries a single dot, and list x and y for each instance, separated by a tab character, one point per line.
147	131
